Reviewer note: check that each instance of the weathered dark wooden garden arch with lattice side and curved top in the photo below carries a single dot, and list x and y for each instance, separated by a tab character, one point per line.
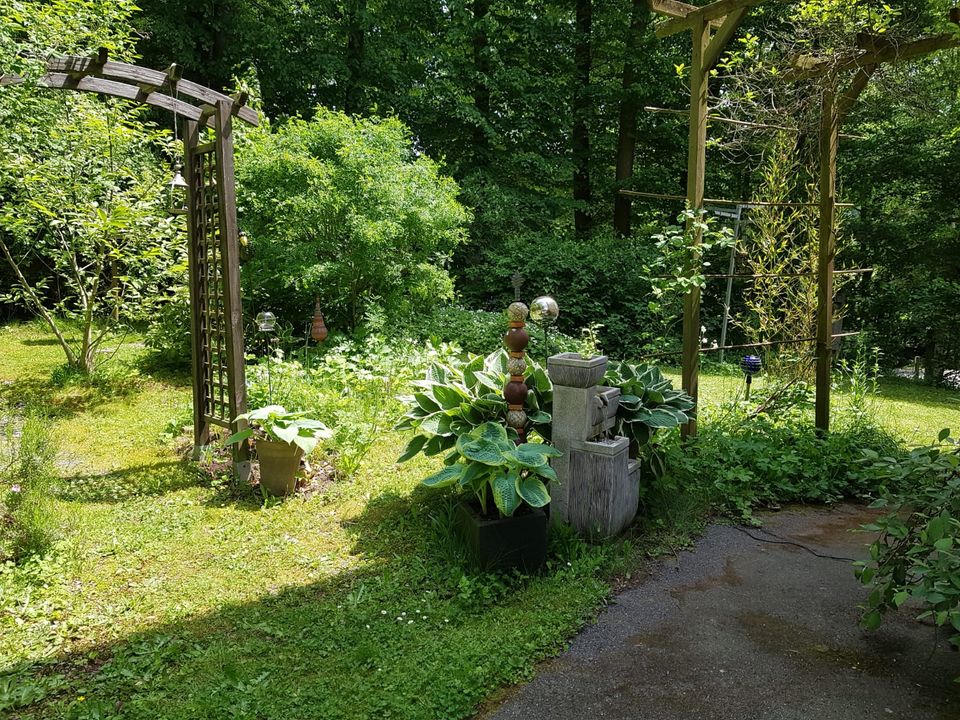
216	319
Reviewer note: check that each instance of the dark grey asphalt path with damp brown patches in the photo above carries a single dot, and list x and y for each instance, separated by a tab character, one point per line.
751	624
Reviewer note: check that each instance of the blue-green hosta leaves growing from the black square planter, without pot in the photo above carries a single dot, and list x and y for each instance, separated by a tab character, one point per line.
493	466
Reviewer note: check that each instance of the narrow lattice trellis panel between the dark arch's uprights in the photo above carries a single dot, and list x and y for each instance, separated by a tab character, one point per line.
207	249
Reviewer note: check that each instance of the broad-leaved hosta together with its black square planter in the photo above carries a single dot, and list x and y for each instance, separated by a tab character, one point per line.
511	531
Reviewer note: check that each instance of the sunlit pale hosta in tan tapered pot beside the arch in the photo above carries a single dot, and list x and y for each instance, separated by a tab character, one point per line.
281	439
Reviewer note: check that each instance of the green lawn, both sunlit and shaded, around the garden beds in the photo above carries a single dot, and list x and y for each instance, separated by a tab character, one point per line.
170	595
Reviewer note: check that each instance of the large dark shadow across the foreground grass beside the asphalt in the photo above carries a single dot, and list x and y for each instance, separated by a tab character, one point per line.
399	634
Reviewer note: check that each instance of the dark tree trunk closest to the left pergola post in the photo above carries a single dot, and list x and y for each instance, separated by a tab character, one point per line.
629	108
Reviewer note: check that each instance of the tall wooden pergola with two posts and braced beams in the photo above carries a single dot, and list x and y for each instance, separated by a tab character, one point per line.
712	27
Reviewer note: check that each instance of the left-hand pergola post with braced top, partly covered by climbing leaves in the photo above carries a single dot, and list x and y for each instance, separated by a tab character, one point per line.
723	16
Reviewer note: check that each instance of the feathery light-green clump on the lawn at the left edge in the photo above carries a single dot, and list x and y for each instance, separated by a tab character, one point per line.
27	474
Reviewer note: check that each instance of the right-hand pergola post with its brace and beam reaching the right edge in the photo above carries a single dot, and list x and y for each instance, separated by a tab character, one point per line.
835	105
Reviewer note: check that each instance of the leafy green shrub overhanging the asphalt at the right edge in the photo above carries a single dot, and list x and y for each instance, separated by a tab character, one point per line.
917	554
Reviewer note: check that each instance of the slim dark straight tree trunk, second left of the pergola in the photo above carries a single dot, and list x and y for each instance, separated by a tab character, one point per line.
582	111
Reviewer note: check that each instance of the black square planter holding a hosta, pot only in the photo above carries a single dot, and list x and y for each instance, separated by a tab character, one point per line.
513	543
